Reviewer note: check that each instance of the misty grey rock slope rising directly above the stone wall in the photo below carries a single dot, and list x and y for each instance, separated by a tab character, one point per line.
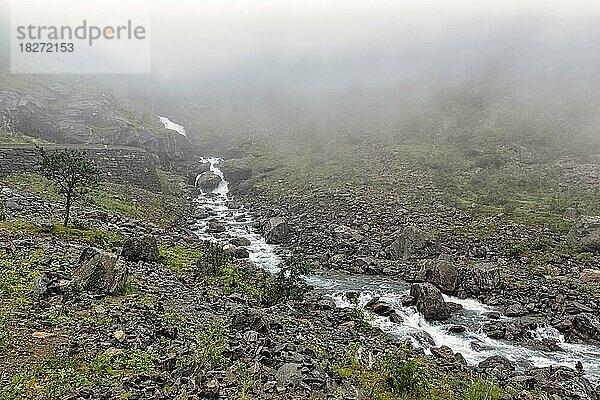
69	112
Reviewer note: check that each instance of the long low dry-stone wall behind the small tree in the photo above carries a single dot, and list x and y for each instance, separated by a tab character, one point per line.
118	164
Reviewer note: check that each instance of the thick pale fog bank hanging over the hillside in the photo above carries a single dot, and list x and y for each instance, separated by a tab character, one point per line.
227	67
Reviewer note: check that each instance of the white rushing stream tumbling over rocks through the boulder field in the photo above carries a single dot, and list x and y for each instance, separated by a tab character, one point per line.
473	344
